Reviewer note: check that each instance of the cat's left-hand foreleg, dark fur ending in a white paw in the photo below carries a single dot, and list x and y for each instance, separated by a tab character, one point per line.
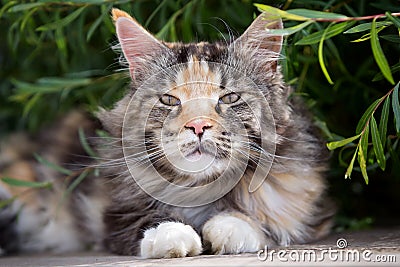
150	234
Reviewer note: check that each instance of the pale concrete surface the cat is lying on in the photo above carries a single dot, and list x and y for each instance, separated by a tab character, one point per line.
379	247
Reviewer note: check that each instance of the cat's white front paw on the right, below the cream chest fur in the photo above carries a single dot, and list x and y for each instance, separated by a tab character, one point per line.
231	235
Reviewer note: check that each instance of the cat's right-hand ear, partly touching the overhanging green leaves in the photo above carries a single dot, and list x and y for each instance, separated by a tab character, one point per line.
267	45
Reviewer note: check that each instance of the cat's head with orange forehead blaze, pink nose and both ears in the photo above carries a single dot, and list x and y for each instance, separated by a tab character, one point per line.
199	108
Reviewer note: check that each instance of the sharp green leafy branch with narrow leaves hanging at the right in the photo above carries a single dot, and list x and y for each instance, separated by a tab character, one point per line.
367	128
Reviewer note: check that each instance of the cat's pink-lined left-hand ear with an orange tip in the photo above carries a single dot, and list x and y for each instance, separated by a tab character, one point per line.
137	44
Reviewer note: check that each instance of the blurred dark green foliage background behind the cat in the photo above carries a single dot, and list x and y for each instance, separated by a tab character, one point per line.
57	55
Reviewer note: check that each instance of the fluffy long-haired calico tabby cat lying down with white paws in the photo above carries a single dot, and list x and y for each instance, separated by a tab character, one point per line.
207	152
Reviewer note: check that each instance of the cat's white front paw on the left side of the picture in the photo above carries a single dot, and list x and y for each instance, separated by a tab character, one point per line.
170	240
